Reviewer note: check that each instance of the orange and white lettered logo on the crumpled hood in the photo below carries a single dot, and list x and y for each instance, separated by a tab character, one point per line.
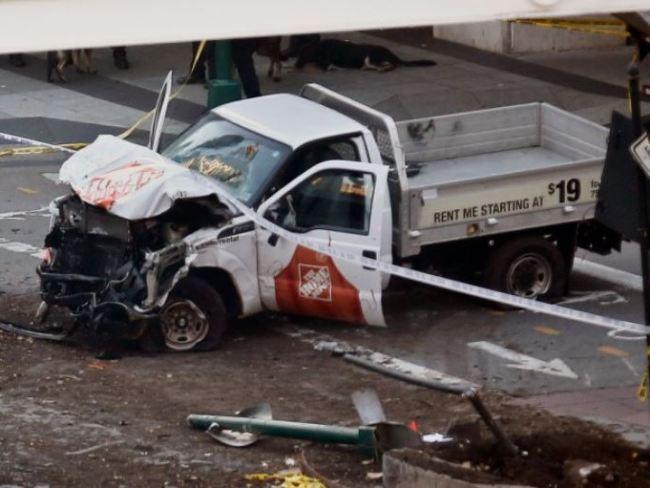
104	190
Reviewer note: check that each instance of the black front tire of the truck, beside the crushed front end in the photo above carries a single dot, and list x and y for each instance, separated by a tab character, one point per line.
192	298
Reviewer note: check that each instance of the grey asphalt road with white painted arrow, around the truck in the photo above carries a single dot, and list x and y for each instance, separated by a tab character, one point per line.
516	351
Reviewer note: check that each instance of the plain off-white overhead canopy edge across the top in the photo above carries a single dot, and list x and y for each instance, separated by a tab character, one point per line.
38	25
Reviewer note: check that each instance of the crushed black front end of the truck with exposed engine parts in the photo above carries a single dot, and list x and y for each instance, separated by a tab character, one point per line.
114	274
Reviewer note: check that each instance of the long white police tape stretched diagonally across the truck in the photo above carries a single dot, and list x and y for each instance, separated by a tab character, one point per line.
616	327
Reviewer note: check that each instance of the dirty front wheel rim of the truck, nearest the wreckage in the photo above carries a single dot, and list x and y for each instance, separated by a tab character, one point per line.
183	325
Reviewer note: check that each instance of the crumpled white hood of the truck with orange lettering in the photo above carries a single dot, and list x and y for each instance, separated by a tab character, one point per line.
132	181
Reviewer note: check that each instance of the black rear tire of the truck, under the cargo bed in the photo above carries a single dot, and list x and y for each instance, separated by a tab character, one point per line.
527	266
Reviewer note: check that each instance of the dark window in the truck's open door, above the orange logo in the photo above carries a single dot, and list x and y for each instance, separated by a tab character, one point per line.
339	200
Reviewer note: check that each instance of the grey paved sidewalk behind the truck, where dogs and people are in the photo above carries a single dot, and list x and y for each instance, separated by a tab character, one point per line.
464	79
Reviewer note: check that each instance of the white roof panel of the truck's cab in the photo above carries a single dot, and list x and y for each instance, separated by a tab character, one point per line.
289	119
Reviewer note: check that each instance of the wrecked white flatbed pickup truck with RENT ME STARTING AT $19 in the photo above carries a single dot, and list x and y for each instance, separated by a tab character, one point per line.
147	246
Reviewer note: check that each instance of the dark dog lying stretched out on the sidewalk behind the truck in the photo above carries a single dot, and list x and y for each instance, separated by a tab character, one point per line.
333	53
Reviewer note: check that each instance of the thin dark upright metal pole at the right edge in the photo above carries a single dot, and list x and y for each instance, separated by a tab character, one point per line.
644	223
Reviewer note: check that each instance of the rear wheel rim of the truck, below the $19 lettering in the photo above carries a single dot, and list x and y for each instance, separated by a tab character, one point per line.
529	276
